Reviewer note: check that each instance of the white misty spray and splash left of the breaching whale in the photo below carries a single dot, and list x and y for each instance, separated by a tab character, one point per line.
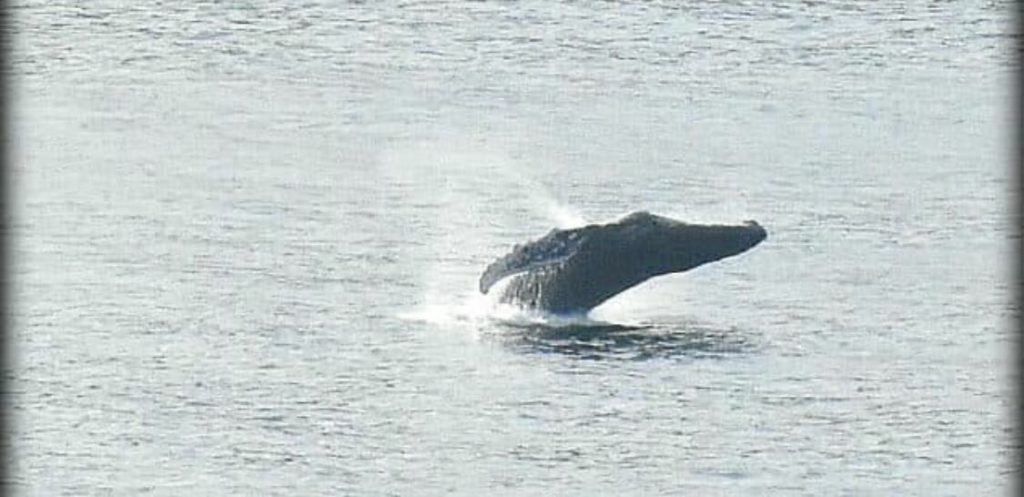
468	188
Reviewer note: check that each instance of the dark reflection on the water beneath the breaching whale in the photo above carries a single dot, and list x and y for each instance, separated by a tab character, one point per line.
611	342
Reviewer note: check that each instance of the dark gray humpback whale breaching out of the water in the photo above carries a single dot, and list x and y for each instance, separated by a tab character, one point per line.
574	271
